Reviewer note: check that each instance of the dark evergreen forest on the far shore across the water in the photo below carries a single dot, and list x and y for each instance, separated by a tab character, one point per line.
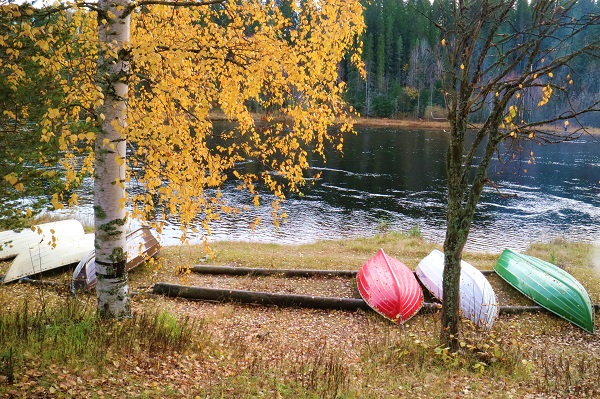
403	68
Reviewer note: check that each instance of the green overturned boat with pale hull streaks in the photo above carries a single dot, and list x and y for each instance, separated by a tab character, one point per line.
548	285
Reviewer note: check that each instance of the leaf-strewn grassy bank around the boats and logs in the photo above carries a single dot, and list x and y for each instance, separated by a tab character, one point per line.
51	345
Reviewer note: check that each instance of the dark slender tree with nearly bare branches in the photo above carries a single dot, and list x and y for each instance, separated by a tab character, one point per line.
485	65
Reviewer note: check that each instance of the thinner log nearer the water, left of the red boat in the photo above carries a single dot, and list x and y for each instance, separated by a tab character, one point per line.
251	271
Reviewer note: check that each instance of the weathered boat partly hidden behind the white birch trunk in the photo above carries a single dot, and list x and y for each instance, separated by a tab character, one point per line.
141	245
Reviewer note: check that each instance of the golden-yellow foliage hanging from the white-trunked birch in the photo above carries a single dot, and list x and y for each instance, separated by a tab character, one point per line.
188	63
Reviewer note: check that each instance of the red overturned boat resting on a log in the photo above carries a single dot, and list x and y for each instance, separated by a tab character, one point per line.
390	288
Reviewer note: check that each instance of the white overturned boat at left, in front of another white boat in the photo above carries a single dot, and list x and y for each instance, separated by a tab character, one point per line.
44	256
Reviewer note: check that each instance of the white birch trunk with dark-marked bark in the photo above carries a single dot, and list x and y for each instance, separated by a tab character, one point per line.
110	216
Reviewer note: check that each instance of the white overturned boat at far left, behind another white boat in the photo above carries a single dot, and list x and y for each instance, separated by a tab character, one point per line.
13	243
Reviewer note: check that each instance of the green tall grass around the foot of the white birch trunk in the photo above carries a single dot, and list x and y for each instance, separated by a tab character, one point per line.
70	330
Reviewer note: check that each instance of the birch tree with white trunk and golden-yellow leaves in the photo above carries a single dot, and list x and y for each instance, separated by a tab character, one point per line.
144	76
